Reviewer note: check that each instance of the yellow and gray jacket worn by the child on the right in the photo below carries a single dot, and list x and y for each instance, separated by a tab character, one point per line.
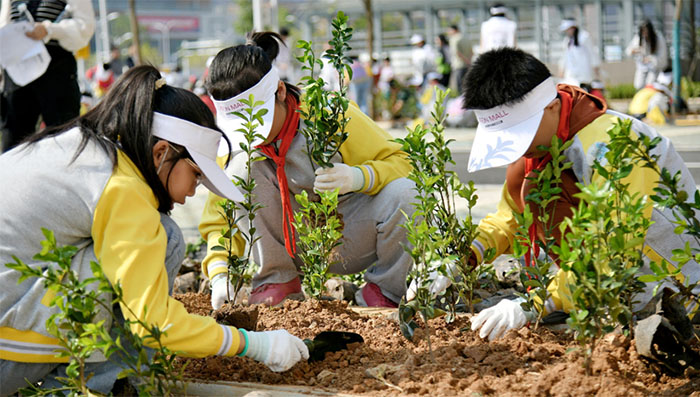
497	230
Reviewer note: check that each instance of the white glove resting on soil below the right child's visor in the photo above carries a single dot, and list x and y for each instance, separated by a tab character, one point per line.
497	320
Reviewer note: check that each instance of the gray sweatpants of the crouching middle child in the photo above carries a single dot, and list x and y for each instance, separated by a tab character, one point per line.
372	235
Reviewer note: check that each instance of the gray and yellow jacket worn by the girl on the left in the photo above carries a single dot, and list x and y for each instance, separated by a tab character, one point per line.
111	215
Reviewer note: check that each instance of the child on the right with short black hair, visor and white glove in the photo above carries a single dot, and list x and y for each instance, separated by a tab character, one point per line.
519	108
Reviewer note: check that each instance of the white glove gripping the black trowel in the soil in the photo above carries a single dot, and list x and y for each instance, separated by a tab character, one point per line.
278	349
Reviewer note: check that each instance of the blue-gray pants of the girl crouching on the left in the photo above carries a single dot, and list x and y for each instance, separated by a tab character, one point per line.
14	375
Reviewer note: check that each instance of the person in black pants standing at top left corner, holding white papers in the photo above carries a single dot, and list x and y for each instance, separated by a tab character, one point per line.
65	27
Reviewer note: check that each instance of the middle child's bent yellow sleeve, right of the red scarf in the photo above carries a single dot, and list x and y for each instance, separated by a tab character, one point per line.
370	148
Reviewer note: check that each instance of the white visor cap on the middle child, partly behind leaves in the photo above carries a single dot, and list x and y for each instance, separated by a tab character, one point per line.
232	125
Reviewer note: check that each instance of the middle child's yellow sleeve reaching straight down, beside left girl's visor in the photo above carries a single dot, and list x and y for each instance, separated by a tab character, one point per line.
211	228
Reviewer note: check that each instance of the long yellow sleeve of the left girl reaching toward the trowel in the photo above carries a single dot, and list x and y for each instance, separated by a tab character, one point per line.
130	244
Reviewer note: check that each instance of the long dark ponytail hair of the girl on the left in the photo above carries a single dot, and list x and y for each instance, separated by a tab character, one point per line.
122	120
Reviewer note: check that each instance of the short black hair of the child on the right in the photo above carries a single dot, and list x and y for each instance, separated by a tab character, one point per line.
501	76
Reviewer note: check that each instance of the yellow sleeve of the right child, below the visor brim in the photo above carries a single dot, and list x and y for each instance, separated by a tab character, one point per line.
497	230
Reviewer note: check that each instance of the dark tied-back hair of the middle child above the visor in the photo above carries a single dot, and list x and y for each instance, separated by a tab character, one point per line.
236	69
